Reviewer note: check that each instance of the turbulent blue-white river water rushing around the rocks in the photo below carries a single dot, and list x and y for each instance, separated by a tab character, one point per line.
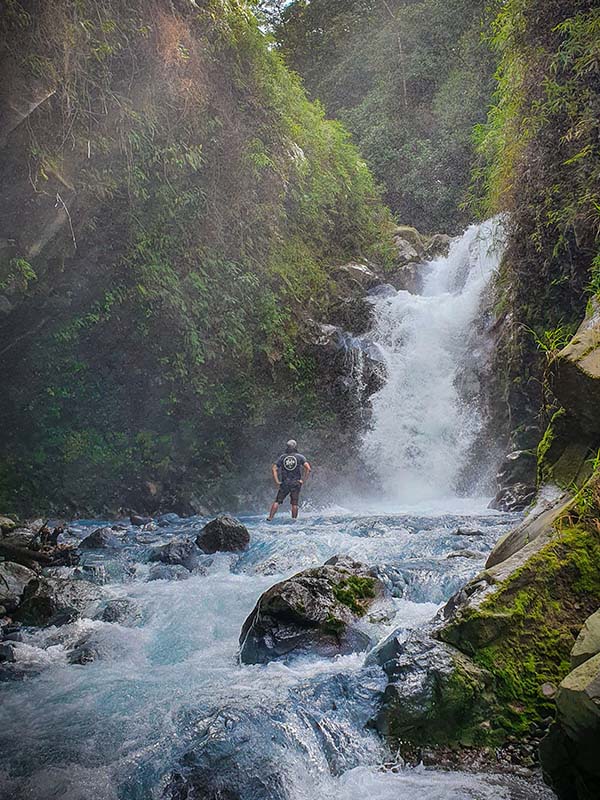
167	683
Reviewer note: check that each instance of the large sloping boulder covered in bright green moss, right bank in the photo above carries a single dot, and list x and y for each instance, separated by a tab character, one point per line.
519	618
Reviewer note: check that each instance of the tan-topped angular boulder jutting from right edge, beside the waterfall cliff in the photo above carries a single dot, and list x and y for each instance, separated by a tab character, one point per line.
575	373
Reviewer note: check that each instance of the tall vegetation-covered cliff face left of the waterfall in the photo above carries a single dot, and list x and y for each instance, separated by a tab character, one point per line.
172	210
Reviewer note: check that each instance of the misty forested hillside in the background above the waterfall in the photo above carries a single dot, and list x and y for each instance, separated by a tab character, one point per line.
409	80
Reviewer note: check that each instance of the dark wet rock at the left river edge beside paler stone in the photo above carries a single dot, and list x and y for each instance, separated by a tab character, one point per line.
55	601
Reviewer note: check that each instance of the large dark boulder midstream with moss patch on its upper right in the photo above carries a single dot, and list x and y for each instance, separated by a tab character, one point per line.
315	612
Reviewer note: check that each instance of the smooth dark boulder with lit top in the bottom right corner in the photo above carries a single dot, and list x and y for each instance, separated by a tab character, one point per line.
569	753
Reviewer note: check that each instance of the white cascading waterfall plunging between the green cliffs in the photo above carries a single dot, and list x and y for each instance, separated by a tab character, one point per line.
422	430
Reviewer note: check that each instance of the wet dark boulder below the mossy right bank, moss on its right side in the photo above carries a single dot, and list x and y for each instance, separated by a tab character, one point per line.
435	694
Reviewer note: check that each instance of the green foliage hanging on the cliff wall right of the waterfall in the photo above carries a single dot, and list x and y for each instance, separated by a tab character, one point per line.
540	160
